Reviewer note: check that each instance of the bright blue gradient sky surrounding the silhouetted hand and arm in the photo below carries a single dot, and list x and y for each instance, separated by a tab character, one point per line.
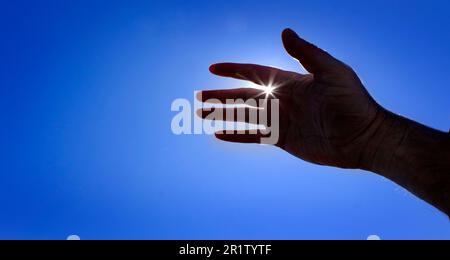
86	145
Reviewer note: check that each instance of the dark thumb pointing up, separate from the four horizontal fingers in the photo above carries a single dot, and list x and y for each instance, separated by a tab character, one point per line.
313	59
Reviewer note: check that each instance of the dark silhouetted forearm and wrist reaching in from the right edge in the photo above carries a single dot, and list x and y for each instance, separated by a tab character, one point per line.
412	155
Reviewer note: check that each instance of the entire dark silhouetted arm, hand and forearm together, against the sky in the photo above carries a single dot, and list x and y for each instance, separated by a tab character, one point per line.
328	118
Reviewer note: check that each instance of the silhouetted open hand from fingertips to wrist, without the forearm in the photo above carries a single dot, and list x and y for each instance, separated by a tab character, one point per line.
326	117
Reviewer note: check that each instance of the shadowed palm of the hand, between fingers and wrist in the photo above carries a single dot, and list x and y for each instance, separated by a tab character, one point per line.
325	122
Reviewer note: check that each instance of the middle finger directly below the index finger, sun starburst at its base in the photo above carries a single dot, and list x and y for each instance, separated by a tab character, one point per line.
222	96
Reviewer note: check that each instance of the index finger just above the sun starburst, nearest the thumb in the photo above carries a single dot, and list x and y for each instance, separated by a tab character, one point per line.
260	75
